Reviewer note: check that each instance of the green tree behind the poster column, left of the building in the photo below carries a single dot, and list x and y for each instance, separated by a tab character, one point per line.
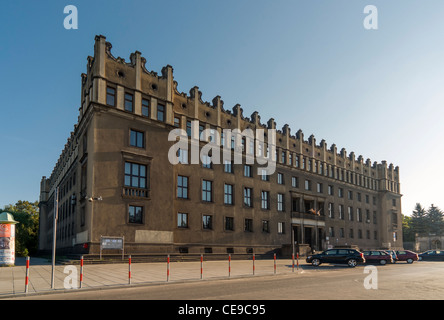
27	214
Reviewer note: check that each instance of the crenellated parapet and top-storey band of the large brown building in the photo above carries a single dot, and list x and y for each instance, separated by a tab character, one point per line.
105	70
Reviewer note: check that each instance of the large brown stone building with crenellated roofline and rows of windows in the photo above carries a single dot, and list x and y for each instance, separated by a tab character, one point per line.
118	153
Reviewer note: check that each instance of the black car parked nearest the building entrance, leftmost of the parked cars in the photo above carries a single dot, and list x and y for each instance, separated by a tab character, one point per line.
341	256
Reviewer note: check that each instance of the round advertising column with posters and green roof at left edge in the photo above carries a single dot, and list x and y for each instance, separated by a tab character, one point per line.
7	239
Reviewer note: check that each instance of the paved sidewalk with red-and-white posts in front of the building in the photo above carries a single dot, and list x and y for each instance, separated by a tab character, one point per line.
96	276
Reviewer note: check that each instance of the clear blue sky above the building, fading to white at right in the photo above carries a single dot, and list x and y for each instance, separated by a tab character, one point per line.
310	64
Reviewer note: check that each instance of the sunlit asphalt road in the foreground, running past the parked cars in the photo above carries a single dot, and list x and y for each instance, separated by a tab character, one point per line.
417	281
